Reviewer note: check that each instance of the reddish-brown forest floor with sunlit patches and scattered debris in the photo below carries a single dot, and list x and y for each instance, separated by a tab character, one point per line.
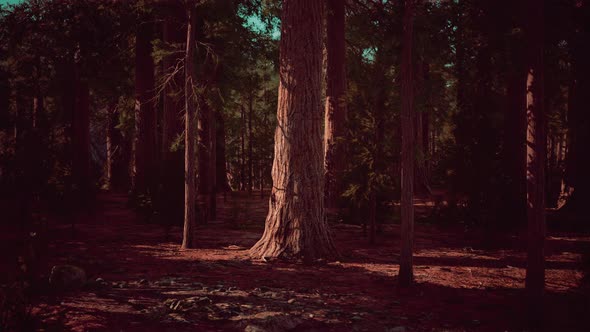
465	280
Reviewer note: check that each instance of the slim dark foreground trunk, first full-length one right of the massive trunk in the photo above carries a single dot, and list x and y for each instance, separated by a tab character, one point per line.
406	273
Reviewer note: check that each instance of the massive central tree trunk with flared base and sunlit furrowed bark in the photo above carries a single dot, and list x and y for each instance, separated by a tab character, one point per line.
296	226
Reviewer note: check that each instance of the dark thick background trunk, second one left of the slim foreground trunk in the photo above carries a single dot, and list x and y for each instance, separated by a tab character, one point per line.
145	148
